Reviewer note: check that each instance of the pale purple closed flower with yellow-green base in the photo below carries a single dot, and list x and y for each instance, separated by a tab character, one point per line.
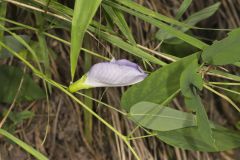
110	74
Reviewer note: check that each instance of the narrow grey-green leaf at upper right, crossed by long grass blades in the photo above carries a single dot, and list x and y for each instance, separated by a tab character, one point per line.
190	21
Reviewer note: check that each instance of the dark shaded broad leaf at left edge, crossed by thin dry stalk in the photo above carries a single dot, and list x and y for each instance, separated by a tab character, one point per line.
10	78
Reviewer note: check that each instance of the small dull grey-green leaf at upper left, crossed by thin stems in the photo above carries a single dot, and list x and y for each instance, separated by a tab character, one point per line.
13	43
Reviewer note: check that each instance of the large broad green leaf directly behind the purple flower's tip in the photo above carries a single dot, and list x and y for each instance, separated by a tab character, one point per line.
159	86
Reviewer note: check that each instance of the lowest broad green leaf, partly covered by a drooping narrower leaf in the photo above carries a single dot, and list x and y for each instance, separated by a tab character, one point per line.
191	139
